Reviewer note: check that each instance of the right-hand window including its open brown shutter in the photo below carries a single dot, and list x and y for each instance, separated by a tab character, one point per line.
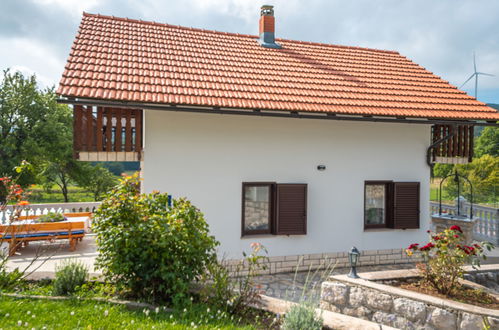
390	204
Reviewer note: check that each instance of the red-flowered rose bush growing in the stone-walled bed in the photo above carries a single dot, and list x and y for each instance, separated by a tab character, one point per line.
444	257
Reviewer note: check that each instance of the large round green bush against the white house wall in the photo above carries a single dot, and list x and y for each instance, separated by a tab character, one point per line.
151	250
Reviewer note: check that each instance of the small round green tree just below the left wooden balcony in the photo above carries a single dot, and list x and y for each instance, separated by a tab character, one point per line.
98	180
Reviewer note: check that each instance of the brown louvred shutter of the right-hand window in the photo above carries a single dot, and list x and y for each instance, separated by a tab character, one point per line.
406	205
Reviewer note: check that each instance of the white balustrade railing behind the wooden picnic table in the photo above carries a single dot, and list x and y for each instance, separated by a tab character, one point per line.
39	209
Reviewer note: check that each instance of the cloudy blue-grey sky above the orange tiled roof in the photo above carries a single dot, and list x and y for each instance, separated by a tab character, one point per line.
36	35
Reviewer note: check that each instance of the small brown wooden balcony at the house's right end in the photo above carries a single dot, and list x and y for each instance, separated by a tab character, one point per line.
456	150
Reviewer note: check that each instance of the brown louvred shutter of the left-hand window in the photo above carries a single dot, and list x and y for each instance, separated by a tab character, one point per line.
291	210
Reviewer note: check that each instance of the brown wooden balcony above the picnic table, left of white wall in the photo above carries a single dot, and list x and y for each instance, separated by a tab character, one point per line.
107	134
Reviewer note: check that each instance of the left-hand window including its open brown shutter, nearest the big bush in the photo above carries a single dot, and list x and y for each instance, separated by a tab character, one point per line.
272	208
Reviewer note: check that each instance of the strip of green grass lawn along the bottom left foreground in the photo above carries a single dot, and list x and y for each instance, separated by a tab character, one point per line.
78	314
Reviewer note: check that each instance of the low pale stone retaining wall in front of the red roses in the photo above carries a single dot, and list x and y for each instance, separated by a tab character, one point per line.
401	308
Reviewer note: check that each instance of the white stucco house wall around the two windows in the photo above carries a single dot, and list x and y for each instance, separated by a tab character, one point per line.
206	158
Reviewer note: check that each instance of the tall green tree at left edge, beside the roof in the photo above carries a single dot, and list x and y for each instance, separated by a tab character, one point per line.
34	127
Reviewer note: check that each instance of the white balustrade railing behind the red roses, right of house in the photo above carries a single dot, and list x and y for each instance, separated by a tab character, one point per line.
486	226
